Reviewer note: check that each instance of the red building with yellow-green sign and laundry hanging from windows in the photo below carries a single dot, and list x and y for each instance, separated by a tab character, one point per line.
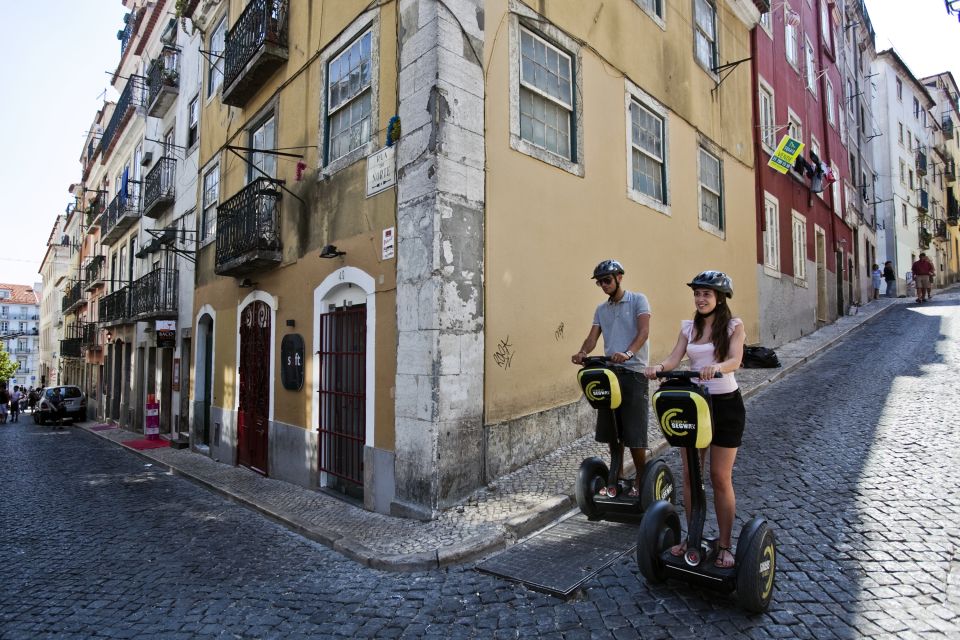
805	243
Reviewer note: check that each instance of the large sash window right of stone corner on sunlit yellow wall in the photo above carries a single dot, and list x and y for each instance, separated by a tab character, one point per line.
546	95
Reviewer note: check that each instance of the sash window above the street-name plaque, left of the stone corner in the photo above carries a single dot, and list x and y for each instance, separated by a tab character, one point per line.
349	98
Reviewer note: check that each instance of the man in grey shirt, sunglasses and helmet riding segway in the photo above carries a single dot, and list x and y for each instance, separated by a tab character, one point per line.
624	321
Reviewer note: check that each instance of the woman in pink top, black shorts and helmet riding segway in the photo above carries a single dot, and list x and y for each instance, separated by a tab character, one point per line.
713	341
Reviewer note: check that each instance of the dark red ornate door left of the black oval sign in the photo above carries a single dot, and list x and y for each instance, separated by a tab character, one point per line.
254	387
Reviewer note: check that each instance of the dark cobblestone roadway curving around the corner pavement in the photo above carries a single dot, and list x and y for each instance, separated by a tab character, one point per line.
851	457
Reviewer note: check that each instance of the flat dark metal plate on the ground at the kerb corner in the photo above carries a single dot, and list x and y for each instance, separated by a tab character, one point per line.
560	559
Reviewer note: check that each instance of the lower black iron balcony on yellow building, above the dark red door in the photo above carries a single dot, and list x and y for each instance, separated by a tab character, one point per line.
248	230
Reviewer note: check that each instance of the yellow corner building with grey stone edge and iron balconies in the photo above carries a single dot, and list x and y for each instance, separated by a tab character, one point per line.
394	321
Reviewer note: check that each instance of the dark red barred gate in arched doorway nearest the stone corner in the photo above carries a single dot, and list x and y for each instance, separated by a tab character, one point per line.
343	373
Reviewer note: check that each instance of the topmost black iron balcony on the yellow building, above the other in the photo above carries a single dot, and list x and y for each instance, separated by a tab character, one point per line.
255	47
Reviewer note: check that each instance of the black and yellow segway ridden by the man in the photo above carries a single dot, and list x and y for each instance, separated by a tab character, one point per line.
602	390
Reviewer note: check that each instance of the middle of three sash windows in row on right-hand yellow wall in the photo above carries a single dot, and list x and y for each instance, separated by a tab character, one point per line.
647	155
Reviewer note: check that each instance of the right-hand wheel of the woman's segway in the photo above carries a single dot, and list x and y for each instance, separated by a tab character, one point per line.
756	565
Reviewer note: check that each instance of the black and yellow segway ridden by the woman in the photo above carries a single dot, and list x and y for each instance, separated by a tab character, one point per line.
683	410
